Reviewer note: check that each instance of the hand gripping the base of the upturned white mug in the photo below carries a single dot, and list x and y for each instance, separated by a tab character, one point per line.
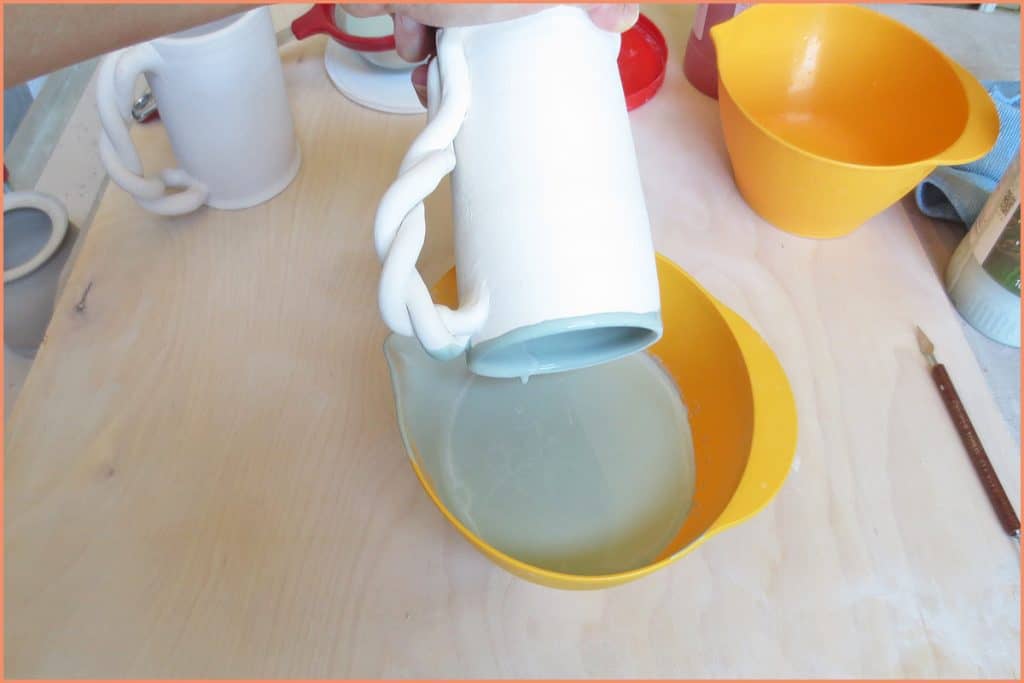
415	25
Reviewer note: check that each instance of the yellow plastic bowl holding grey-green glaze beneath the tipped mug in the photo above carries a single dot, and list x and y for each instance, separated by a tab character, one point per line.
743	419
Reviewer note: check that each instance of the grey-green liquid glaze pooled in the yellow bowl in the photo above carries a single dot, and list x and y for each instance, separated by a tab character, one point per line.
585	473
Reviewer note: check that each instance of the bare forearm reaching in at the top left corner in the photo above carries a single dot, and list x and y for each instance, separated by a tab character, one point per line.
40	39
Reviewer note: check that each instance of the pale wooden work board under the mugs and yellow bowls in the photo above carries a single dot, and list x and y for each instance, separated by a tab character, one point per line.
205	478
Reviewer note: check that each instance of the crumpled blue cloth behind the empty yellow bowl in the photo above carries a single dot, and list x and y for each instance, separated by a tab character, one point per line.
959	193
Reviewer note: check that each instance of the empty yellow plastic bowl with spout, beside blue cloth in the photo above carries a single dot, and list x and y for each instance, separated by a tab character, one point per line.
833	113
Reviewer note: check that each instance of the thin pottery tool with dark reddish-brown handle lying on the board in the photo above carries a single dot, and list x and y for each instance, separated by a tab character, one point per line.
983	465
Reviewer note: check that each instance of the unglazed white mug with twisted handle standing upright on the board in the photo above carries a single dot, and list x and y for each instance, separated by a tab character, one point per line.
222	95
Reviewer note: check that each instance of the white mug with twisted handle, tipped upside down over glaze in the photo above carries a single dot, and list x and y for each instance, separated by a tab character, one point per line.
553	249
